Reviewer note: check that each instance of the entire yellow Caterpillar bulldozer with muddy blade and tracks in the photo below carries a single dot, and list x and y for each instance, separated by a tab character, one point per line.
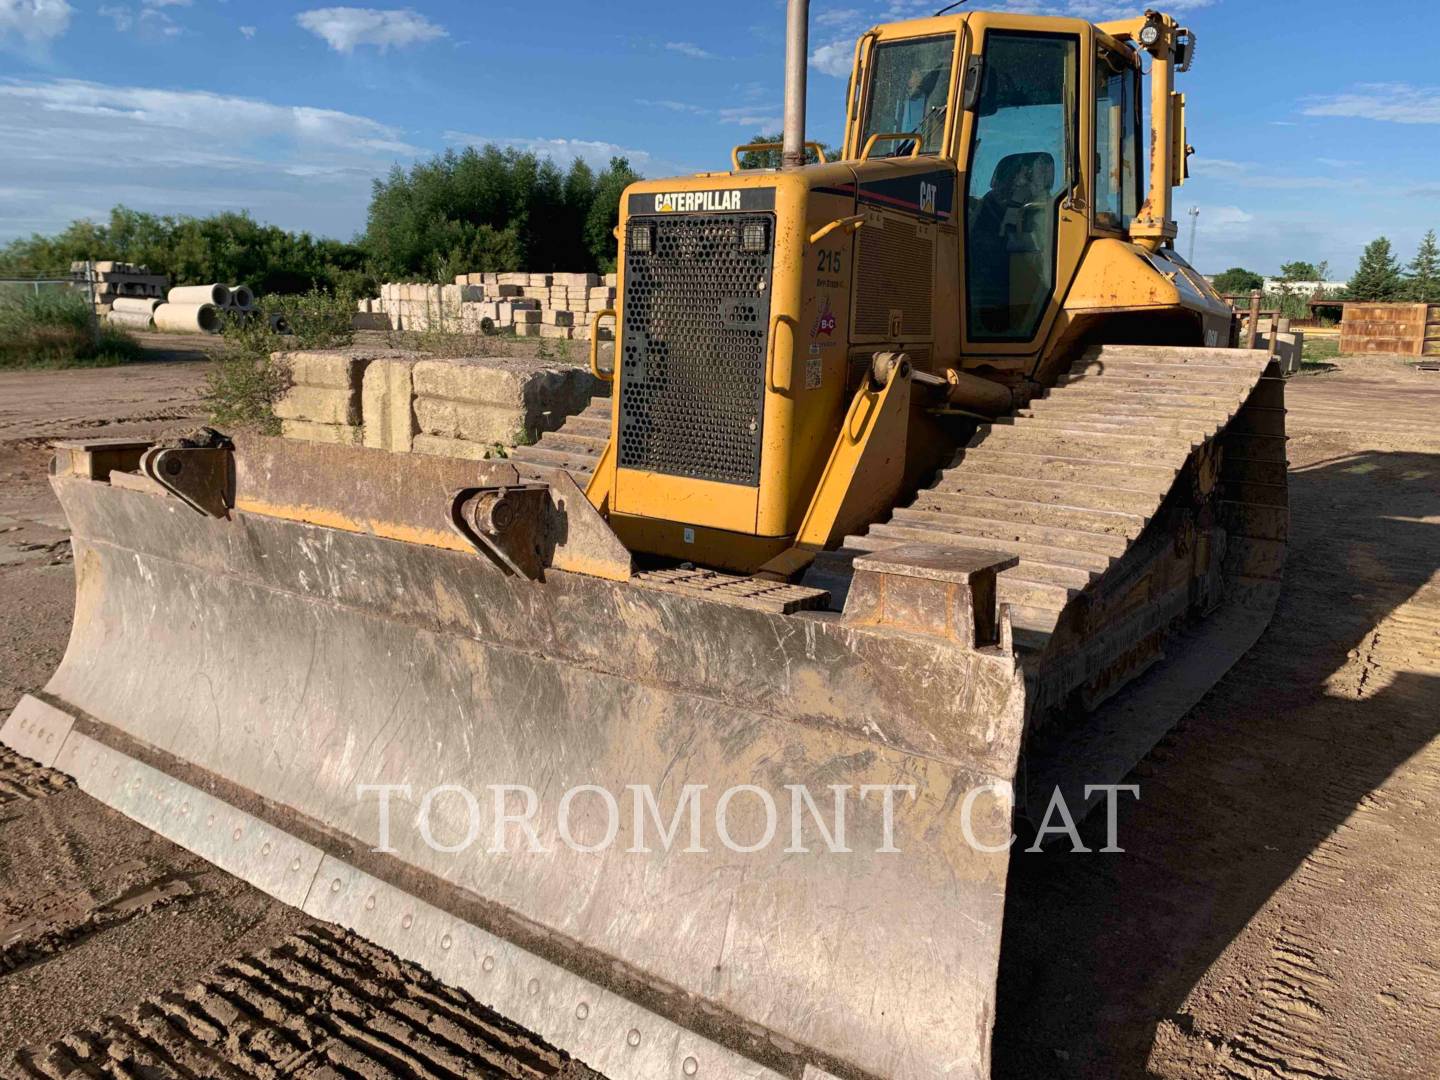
930	490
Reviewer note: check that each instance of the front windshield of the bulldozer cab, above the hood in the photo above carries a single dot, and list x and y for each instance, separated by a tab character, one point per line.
909	94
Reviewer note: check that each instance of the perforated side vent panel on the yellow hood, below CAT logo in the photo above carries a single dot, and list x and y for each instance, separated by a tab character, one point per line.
896	274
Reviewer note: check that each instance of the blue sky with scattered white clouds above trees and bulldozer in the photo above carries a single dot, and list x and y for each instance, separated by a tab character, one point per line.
1317	127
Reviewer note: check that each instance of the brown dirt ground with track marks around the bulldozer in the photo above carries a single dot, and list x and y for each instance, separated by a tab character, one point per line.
1277	912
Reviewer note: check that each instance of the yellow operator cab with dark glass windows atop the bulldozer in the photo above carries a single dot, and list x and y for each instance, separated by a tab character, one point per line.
1043	138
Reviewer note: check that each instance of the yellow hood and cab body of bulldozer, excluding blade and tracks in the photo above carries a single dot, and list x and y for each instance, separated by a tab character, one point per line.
870	256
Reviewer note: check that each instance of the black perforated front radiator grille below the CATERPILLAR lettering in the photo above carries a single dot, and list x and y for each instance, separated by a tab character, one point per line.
698	313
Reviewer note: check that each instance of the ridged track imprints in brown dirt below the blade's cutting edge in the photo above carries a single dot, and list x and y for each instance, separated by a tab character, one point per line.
319	1006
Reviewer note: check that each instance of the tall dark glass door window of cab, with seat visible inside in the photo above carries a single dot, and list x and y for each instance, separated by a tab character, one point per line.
1022	169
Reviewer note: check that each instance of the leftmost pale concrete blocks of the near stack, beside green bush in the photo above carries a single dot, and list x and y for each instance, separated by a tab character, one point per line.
325	402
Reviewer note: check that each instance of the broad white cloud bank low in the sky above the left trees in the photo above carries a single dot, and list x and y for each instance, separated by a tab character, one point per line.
186	152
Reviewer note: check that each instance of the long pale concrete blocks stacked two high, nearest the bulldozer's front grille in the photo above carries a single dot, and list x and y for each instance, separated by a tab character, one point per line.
466	408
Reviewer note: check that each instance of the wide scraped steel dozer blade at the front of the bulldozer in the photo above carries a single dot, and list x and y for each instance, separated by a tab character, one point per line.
243	685
